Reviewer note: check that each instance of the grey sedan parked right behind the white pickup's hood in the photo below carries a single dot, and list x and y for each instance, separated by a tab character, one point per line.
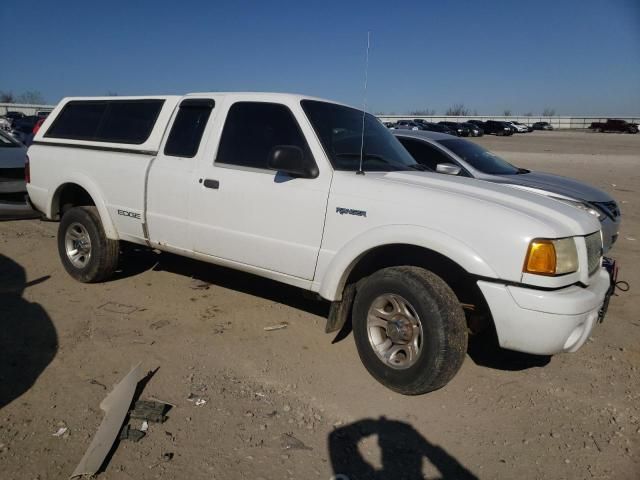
455	156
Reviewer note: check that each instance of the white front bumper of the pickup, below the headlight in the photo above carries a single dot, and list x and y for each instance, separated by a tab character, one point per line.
546	322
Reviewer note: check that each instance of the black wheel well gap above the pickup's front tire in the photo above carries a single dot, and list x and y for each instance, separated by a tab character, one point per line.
461	282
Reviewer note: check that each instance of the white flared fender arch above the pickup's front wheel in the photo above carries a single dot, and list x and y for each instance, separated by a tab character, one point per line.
333	280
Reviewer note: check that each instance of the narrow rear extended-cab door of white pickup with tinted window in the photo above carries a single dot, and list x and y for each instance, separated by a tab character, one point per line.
170	178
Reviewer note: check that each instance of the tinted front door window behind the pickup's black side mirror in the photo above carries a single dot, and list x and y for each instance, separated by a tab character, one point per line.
253	129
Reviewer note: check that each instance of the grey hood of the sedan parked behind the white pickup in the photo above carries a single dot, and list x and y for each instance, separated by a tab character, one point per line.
557	184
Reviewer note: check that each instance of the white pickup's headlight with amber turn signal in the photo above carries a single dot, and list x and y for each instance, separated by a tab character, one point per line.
551	257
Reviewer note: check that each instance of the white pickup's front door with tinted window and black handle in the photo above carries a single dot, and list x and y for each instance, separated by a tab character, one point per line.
248	214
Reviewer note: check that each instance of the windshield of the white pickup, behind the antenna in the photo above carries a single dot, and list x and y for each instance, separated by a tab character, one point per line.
340	131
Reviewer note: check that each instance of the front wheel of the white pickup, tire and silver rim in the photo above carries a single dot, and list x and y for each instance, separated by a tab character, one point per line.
409	329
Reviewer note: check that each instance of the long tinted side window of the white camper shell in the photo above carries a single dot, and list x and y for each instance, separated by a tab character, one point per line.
115	121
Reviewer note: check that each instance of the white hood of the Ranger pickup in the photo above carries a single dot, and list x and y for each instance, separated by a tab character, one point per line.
564	219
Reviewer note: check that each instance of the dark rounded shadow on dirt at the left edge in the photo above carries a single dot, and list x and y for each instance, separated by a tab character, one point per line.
28	339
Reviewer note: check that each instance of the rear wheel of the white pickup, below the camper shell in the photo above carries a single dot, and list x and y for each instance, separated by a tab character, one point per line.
85	251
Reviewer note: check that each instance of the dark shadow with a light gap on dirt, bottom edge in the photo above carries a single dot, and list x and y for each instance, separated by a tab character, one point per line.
403	452
